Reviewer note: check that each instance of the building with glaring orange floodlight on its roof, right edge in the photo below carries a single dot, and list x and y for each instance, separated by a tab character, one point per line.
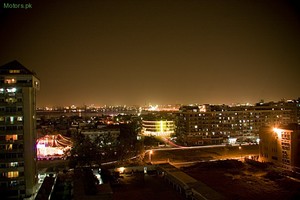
281	146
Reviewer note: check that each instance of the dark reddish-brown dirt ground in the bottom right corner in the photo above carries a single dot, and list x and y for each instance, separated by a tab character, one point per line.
237	180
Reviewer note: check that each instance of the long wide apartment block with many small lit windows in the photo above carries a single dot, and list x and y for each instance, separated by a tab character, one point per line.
214	124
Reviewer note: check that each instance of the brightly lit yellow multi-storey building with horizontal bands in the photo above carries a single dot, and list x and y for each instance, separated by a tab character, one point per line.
164	128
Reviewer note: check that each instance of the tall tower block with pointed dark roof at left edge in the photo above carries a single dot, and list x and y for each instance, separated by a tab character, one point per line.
18	173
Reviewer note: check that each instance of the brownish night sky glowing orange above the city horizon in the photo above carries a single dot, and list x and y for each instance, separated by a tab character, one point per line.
156	51
